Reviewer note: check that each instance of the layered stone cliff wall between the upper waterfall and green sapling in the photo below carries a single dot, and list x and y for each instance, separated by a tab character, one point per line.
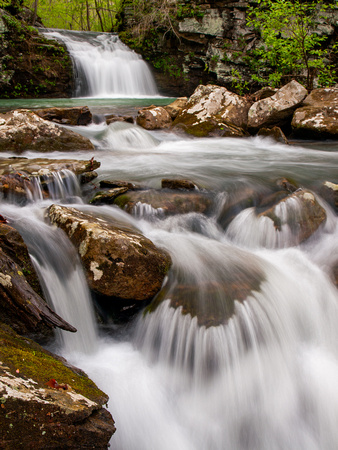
211	45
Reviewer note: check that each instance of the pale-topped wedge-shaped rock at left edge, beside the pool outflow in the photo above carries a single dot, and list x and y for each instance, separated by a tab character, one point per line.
22	130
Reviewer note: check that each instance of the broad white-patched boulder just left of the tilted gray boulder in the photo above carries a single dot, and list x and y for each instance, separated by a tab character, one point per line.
214	111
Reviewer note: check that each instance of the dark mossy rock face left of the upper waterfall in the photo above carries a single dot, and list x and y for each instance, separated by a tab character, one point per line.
31	66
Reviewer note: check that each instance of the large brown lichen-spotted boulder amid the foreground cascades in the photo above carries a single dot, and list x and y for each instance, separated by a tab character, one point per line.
119	263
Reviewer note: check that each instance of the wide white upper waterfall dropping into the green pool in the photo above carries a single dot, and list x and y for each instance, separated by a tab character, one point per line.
104	66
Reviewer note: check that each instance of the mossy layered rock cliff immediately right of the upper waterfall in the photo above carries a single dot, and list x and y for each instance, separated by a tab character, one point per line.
204	41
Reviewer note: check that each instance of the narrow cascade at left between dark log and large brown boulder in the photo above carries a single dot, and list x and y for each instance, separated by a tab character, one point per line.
60	273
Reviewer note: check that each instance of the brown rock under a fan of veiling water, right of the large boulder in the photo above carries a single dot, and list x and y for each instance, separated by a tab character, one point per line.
211	297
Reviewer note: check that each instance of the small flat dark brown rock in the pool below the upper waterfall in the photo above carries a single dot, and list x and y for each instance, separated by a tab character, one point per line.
77	115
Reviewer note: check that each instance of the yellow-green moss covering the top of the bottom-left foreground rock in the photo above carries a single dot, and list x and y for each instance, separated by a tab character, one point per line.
34	362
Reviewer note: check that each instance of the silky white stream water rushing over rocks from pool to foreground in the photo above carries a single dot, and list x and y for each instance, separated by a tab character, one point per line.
265	380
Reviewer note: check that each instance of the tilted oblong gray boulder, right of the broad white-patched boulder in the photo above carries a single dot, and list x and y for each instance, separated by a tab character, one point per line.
275	110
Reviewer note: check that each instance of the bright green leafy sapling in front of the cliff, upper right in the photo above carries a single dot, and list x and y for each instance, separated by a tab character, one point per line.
291	47
